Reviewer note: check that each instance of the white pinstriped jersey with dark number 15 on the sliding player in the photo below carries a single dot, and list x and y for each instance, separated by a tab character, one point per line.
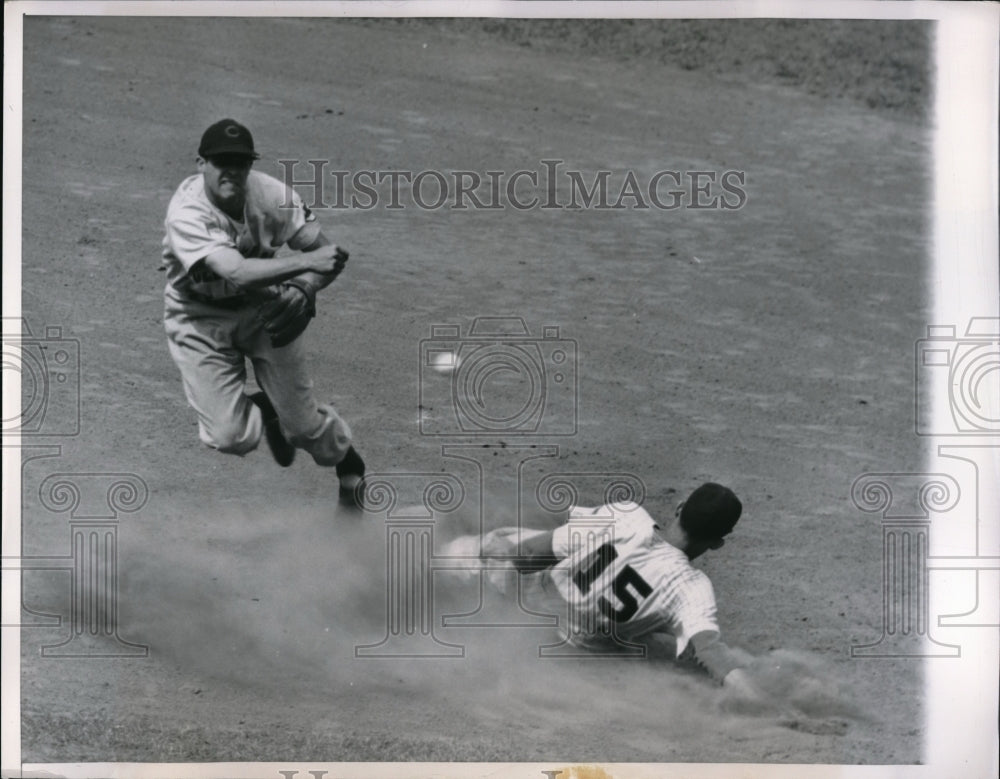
621	580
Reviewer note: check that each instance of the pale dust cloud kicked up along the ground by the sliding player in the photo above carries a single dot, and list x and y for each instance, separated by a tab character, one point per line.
282	606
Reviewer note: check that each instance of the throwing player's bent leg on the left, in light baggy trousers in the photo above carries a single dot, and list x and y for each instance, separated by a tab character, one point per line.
214	376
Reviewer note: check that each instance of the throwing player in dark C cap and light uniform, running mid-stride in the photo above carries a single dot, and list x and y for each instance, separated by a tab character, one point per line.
228	298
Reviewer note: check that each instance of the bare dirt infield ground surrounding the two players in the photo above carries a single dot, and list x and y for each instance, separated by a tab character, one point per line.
768	347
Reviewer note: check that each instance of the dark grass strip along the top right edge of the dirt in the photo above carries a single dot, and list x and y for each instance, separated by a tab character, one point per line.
881	64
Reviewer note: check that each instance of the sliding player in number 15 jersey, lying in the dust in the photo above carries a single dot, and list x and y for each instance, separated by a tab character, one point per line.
624	579
